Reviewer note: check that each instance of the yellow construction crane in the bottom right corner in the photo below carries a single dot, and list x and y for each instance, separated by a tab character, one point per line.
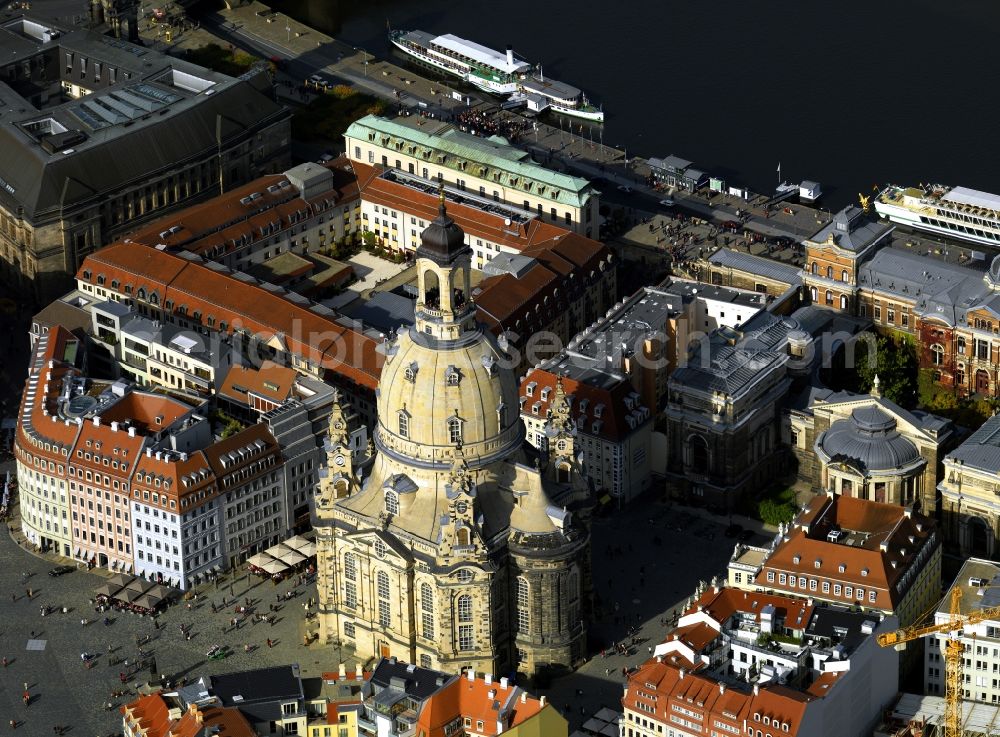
953	653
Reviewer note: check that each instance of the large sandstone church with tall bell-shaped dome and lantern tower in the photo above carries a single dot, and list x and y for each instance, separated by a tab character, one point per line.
450	553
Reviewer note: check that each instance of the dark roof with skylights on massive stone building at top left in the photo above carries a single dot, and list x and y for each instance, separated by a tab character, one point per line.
177	127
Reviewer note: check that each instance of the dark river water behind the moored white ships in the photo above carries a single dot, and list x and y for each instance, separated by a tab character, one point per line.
848	93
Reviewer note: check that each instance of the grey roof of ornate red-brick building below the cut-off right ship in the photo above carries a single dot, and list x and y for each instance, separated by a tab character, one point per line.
939	289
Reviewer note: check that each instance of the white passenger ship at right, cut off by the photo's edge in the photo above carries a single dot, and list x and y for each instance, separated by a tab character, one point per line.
958	212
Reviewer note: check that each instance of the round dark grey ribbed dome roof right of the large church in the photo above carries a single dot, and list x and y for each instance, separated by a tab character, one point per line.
868	440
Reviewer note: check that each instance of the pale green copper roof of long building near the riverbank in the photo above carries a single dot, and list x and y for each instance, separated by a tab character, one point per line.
487	158
